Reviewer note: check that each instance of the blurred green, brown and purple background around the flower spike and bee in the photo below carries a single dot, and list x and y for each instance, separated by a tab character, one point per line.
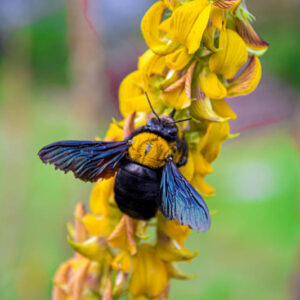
59	77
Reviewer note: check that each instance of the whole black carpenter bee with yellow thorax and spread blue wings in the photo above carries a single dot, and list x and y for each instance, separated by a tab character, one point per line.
146	167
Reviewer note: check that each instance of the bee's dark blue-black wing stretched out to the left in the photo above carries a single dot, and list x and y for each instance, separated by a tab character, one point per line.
88	160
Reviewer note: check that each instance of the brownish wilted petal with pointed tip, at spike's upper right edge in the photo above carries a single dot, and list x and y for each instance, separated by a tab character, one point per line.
249	35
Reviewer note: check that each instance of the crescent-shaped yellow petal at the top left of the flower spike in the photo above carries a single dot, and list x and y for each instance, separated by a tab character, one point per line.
157	41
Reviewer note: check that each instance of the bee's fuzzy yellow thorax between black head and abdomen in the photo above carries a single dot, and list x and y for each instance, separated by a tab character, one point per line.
150	150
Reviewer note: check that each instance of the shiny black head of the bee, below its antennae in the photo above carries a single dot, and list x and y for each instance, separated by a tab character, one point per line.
163	127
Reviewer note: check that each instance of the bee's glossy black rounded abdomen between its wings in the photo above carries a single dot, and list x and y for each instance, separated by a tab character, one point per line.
136	190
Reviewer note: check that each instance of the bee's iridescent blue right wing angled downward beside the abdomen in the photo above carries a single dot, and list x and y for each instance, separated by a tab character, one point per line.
180	201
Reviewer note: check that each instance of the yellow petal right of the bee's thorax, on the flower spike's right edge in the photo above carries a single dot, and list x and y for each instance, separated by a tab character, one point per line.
210	144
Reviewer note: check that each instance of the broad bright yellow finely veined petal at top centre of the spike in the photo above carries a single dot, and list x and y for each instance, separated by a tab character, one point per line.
187	24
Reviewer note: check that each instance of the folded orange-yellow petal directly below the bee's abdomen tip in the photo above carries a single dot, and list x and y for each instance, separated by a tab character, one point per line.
123	236
